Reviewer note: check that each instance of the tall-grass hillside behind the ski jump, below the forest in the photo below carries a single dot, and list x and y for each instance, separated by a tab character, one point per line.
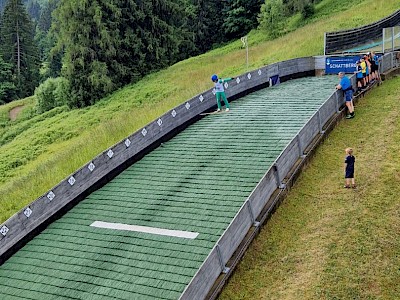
38	151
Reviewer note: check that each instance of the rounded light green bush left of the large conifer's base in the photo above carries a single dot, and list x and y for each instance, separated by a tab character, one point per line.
52	93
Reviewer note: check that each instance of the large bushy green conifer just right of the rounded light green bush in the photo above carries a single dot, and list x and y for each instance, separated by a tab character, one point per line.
86	40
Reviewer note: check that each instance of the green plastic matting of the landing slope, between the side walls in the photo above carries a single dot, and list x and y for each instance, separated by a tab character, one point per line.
196	183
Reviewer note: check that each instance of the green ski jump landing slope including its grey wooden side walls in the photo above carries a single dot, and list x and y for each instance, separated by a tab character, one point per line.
167	212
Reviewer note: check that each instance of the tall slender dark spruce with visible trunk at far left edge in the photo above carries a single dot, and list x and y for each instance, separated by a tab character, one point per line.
17	47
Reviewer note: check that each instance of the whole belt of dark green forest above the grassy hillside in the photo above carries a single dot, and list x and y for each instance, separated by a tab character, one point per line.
75	52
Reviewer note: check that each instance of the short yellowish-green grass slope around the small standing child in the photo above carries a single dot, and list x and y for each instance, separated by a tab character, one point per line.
327	242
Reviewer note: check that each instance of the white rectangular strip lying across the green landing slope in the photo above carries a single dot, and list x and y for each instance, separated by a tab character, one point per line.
145	229
